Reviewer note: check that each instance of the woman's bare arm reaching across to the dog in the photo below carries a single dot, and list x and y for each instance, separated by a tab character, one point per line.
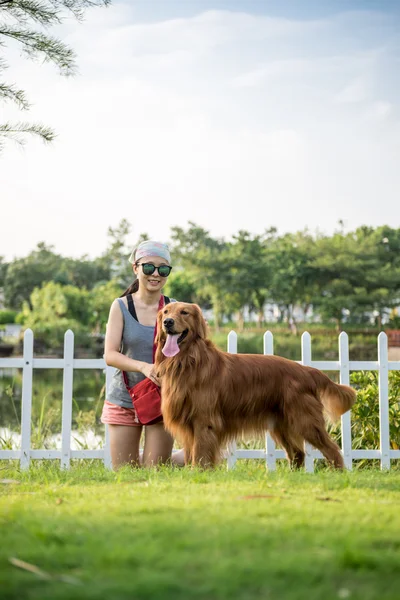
112	354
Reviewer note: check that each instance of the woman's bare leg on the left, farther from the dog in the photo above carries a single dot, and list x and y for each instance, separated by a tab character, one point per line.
124	444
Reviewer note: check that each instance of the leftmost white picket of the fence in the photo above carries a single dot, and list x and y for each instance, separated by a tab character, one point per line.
26	409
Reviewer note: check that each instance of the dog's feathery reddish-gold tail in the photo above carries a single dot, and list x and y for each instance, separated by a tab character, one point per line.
336	398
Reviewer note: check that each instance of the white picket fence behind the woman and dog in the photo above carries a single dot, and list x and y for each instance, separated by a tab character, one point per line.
270	454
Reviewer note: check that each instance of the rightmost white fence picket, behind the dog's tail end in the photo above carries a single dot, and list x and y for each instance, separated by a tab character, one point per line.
384	400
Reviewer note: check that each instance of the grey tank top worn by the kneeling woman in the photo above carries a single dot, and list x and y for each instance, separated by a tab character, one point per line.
137	343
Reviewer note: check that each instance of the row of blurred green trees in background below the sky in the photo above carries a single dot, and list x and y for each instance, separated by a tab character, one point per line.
344	277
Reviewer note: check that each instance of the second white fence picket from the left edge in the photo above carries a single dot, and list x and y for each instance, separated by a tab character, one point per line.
68	382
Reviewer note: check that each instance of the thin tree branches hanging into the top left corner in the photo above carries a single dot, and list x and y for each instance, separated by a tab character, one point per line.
27	22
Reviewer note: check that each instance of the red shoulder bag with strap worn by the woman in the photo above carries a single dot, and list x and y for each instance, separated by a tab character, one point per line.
146	396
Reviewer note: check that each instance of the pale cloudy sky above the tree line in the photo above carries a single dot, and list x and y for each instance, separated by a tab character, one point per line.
234	115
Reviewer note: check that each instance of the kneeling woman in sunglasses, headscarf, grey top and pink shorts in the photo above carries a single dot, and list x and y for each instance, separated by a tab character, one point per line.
129	348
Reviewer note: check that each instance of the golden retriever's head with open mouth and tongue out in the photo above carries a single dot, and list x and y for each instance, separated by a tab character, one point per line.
179	324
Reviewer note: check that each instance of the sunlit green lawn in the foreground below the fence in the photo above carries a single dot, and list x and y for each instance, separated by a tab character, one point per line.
180	534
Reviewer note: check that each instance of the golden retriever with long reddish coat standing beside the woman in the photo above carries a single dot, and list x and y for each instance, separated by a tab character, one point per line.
210	397
